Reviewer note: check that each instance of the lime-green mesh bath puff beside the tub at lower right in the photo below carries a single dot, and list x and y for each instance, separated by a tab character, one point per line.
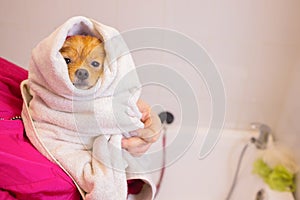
279	178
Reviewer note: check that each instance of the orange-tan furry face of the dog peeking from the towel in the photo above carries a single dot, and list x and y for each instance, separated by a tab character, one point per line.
84	56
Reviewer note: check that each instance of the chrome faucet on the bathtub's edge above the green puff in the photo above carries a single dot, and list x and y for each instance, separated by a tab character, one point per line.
264	134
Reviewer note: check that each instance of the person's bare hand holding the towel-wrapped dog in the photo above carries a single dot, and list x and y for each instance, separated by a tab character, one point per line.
140	143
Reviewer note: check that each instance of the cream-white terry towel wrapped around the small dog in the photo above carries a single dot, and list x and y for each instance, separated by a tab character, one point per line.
81	130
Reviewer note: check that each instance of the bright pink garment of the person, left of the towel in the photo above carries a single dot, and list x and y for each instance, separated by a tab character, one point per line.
24	172
